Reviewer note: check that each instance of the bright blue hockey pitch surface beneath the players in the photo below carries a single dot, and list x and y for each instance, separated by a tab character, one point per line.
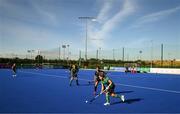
48	91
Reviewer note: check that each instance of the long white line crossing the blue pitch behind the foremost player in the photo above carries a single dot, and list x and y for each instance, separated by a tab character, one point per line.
149	88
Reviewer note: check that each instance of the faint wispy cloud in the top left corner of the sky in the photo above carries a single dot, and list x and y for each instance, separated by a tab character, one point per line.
31	12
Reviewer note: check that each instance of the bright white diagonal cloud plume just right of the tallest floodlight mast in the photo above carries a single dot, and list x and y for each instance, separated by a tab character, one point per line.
116	20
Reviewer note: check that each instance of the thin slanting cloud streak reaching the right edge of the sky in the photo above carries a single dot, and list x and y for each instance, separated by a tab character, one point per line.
154	17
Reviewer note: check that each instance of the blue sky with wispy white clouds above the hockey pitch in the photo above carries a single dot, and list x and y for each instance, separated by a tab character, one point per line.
47	24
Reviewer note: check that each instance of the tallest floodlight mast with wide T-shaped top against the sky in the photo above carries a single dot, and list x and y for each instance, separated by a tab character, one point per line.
86	20
